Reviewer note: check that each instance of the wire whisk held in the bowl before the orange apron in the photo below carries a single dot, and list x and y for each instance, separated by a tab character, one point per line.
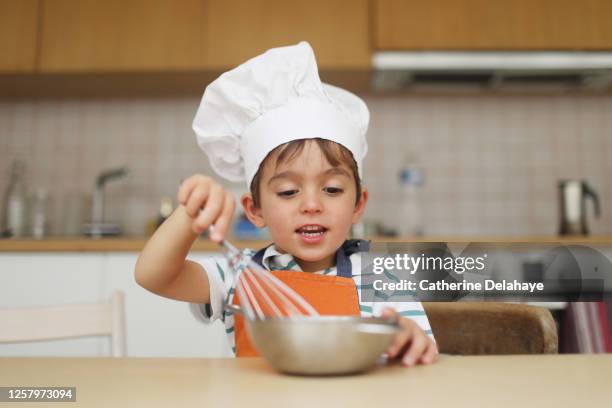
261	294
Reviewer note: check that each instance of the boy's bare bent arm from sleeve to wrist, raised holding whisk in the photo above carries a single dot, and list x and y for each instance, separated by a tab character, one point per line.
162	268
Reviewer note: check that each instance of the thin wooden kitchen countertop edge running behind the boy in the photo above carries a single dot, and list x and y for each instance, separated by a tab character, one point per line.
136	243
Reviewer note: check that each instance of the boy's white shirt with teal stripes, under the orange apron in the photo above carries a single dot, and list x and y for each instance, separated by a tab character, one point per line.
222	286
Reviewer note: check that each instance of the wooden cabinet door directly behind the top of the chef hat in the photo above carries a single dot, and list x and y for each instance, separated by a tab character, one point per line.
338	30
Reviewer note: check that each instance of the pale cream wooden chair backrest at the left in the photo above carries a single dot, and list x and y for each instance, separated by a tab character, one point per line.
67	321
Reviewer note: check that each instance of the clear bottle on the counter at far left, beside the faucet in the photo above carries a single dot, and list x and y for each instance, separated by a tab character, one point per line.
15	208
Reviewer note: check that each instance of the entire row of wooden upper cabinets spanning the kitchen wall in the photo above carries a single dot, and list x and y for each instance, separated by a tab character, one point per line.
158	36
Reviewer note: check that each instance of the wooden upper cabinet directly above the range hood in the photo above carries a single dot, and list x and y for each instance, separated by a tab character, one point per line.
492	24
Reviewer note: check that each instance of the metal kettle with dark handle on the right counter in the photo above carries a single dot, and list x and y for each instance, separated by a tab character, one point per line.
572	211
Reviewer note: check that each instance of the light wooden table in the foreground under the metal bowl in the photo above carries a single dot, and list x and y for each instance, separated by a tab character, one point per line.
487	381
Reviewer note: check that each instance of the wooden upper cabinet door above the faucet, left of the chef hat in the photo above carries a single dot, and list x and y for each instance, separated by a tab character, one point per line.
118	35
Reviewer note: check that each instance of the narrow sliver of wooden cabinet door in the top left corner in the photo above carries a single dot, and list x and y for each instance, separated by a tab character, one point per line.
18	33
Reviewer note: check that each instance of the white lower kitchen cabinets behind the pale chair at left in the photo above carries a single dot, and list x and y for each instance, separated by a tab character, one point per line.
155	326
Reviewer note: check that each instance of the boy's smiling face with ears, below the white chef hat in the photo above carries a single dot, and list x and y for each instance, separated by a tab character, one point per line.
308	206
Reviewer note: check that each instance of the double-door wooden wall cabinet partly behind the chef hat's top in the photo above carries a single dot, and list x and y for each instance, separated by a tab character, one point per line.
165	35
